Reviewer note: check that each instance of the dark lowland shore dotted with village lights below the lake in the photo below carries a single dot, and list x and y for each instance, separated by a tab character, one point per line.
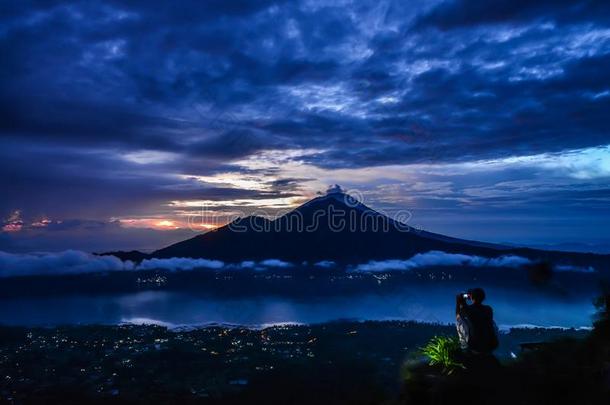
342	362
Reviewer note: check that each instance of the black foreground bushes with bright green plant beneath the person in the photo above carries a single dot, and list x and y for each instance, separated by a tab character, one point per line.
562	371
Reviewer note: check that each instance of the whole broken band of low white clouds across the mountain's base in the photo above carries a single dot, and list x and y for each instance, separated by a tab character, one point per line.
77	262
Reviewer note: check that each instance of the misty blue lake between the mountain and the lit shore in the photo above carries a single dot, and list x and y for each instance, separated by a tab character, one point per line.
511	308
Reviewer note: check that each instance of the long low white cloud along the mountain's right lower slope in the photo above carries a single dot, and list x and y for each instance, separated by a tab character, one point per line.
437	258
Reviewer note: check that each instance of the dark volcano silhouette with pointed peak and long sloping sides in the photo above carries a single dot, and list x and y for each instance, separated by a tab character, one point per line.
337	227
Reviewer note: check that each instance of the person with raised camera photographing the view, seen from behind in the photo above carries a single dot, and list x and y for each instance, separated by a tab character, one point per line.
476	328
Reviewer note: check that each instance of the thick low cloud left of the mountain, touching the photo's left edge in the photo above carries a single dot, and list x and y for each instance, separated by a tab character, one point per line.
67	262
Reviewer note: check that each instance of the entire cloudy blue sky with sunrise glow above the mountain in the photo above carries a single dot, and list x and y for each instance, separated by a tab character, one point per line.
135	124
